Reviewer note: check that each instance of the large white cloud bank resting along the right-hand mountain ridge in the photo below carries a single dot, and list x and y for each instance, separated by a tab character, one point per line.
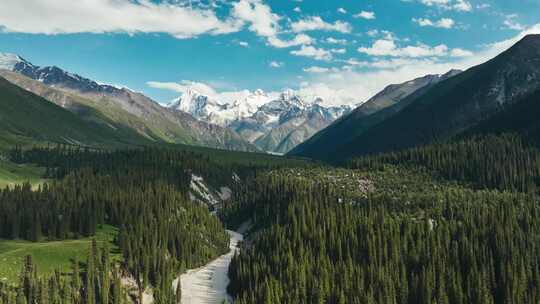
368	78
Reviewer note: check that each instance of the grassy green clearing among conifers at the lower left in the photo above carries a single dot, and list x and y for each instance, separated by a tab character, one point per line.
49	256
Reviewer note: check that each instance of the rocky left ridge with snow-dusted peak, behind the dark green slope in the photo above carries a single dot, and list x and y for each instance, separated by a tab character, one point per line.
122	107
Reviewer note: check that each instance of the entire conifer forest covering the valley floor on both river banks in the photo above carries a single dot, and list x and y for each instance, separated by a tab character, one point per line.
455	222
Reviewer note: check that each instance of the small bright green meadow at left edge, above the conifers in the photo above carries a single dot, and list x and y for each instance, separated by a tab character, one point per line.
12	174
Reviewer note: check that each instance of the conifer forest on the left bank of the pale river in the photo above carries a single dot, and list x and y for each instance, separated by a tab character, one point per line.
142	194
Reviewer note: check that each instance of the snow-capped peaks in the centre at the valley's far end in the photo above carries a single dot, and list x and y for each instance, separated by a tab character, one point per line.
276	122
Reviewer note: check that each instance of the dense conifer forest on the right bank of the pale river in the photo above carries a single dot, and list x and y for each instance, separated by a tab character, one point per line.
407	239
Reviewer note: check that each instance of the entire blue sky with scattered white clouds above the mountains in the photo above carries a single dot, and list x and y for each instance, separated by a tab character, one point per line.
344	51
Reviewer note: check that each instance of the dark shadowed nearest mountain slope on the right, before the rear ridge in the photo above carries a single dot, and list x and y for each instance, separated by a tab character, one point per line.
498	92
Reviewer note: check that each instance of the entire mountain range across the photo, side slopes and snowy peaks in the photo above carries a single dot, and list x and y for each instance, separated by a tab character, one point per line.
46	104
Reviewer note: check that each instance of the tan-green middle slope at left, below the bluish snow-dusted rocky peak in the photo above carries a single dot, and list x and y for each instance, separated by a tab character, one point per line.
129	112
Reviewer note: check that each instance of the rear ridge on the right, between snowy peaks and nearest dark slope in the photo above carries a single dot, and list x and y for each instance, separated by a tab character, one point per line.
383	105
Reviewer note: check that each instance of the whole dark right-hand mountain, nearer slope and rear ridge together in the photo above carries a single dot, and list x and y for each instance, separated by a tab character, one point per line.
498	96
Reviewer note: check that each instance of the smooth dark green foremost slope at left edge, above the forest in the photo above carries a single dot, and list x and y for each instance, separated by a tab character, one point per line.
26	118
